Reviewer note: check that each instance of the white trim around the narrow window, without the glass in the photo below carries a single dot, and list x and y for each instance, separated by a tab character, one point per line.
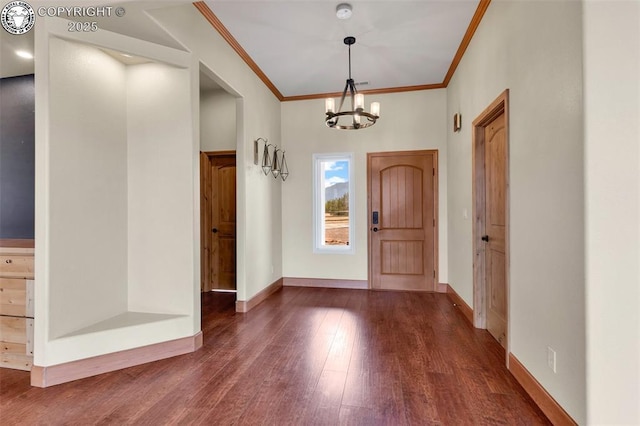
319	203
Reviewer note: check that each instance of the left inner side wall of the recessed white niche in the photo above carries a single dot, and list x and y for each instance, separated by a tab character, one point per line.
88	185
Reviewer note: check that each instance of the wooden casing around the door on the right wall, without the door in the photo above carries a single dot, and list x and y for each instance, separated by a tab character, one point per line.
498	106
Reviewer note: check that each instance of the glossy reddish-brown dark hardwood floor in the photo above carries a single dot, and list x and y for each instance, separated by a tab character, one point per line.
303	357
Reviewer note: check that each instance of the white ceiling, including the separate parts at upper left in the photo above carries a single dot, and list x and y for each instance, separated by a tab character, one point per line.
299	44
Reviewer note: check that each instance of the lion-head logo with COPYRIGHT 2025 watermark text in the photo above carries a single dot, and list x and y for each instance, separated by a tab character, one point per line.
18	17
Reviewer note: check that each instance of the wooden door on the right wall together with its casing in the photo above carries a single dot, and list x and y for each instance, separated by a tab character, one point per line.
491	226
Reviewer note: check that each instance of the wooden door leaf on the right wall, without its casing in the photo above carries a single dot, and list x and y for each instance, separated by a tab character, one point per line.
495	227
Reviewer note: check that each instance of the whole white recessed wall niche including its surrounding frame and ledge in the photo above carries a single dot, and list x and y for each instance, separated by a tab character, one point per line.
117	216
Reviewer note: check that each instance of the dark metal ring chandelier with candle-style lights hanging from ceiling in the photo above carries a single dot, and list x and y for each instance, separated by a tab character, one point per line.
357	117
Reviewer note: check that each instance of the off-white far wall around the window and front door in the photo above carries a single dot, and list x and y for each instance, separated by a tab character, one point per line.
409	121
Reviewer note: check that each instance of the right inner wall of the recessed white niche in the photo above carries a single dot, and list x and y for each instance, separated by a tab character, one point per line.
160	189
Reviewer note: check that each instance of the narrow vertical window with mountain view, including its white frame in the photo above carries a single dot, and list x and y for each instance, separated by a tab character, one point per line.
333	203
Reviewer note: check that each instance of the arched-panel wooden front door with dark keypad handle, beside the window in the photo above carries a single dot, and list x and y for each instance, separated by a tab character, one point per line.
402	220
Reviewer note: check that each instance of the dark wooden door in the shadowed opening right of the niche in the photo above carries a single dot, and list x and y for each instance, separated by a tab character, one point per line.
218	221
